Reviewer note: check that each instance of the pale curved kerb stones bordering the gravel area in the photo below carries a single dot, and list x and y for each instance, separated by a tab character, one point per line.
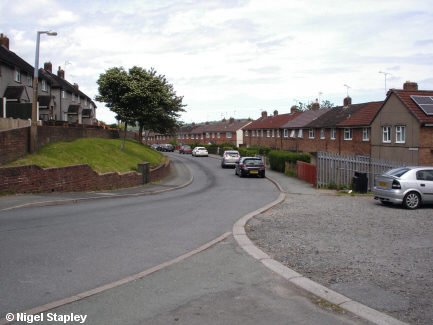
358	309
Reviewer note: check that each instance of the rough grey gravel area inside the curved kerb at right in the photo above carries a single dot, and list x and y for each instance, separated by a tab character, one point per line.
378	255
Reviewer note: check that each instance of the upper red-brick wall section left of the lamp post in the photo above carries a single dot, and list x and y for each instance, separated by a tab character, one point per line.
14	143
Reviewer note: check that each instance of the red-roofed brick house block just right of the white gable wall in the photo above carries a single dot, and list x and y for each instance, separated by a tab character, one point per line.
266	131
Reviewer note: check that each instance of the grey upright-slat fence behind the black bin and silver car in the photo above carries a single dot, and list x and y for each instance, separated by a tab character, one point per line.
340	169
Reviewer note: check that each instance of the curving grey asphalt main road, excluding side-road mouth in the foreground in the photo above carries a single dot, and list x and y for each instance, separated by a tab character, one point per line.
49	253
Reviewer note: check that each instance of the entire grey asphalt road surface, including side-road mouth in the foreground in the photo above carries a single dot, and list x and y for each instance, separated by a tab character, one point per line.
56	252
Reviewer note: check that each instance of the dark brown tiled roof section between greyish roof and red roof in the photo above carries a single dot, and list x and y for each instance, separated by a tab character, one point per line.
336	115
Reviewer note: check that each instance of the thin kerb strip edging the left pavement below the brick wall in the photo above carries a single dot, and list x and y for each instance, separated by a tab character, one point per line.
115	196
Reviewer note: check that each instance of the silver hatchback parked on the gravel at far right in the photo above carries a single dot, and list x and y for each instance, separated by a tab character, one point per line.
410	186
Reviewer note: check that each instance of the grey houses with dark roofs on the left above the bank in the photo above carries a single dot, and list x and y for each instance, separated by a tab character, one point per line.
58	99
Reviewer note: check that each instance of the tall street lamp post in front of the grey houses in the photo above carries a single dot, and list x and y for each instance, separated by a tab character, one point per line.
34	126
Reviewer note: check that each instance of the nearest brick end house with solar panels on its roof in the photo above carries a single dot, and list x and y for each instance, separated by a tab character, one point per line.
402	129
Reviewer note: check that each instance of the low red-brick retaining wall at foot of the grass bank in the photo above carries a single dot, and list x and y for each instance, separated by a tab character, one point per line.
78	178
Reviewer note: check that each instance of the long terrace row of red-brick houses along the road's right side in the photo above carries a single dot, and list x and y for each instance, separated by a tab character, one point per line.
400	128
